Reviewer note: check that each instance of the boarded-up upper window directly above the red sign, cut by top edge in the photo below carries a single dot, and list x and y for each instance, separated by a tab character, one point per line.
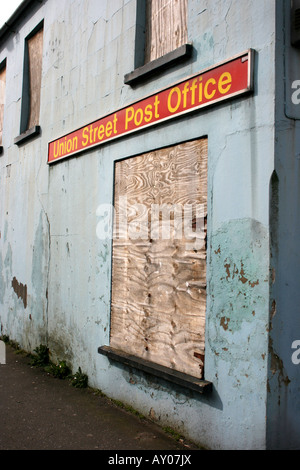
166	27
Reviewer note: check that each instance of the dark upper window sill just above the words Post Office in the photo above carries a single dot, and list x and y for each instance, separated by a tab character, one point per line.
182	53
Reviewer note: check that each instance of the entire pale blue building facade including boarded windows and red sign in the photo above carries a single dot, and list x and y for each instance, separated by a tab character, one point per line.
149	192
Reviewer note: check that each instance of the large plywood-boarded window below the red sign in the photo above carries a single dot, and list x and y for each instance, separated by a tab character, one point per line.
159	257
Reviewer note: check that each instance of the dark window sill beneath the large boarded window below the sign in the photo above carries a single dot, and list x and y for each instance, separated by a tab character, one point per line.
162	372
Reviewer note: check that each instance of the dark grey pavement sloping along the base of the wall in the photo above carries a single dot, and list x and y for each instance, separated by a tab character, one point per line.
40	412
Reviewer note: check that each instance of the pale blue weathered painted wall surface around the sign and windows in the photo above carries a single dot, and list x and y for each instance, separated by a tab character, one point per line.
49	214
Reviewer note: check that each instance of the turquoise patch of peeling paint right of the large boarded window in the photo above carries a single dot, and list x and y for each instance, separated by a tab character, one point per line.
239	295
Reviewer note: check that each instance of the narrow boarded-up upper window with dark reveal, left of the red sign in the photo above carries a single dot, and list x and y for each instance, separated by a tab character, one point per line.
32	80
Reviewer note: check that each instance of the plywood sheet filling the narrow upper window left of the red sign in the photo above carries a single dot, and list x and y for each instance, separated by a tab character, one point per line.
35	54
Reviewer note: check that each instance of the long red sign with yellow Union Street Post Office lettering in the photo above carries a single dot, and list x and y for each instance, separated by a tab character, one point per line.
223	81
